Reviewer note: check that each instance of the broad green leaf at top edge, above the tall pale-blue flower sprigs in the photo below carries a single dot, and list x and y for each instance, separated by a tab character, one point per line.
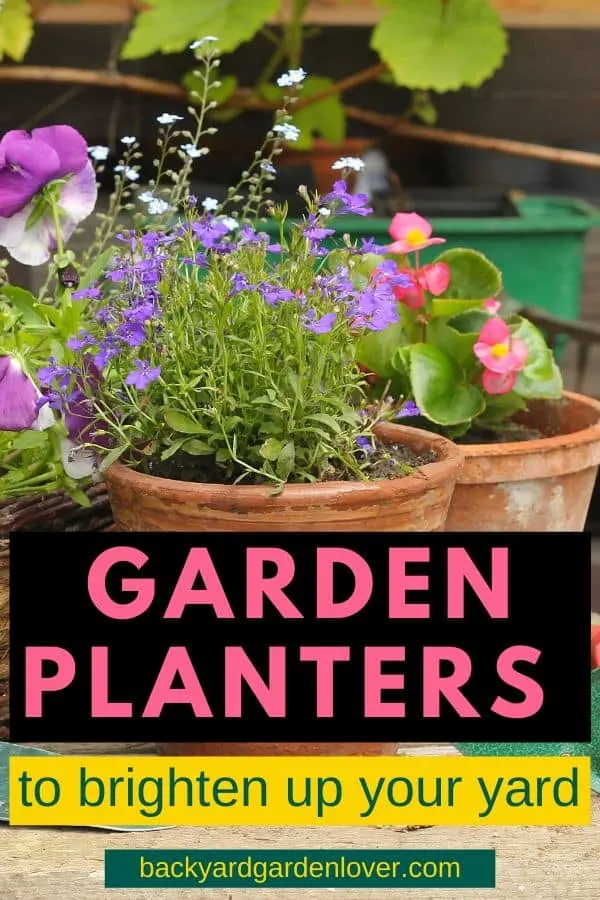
171	25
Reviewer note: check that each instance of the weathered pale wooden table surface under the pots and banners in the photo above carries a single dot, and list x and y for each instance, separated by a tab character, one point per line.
534	863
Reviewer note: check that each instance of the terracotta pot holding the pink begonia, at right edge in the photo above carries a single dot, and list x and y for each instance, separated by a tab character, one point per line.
538	485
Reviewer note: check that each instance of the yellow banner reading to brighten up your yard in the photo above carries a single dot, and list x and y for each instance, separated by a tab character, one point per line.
448	790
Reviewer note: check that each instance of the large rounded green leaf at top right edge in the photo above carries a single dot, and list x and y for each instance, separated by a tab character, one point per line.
441	45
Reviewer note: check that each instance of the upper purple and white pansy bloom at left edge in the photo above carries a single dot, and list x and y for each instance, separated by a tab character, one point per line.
27	164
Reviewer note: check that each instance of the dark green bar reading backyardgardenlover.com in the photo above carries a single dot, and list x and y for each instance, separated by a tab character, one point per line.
300	868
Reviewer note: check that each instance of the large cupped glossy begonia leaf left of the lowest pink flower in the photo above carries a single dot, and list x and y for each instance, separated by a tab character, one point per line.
438	387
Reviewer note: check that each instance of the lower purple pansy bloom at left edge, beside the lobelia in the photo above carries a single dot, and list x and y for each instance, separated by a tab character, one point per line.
20	400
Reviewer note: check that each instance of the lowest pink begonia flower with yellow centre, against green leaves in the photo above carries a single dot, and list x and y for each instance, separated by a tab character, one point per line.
501	356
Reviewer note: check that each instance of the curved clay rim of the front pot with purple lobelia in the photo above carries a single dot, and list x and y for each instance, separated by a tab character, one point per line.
446	467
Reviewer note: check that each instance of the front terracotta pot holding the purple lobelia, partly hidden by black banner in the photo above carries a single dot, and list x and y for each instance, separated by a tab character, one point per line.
417	502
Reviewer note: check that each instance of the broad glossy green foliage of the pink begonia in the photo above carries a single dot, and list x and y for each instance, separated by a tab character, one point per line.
429	356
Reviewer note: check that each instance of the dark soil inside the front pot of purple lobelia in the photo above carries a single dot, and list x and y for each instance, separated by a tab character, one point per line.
385	461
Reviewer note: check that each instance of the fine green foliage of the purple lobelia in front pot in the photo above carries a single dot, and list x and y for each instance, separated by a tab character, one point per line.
243	383
